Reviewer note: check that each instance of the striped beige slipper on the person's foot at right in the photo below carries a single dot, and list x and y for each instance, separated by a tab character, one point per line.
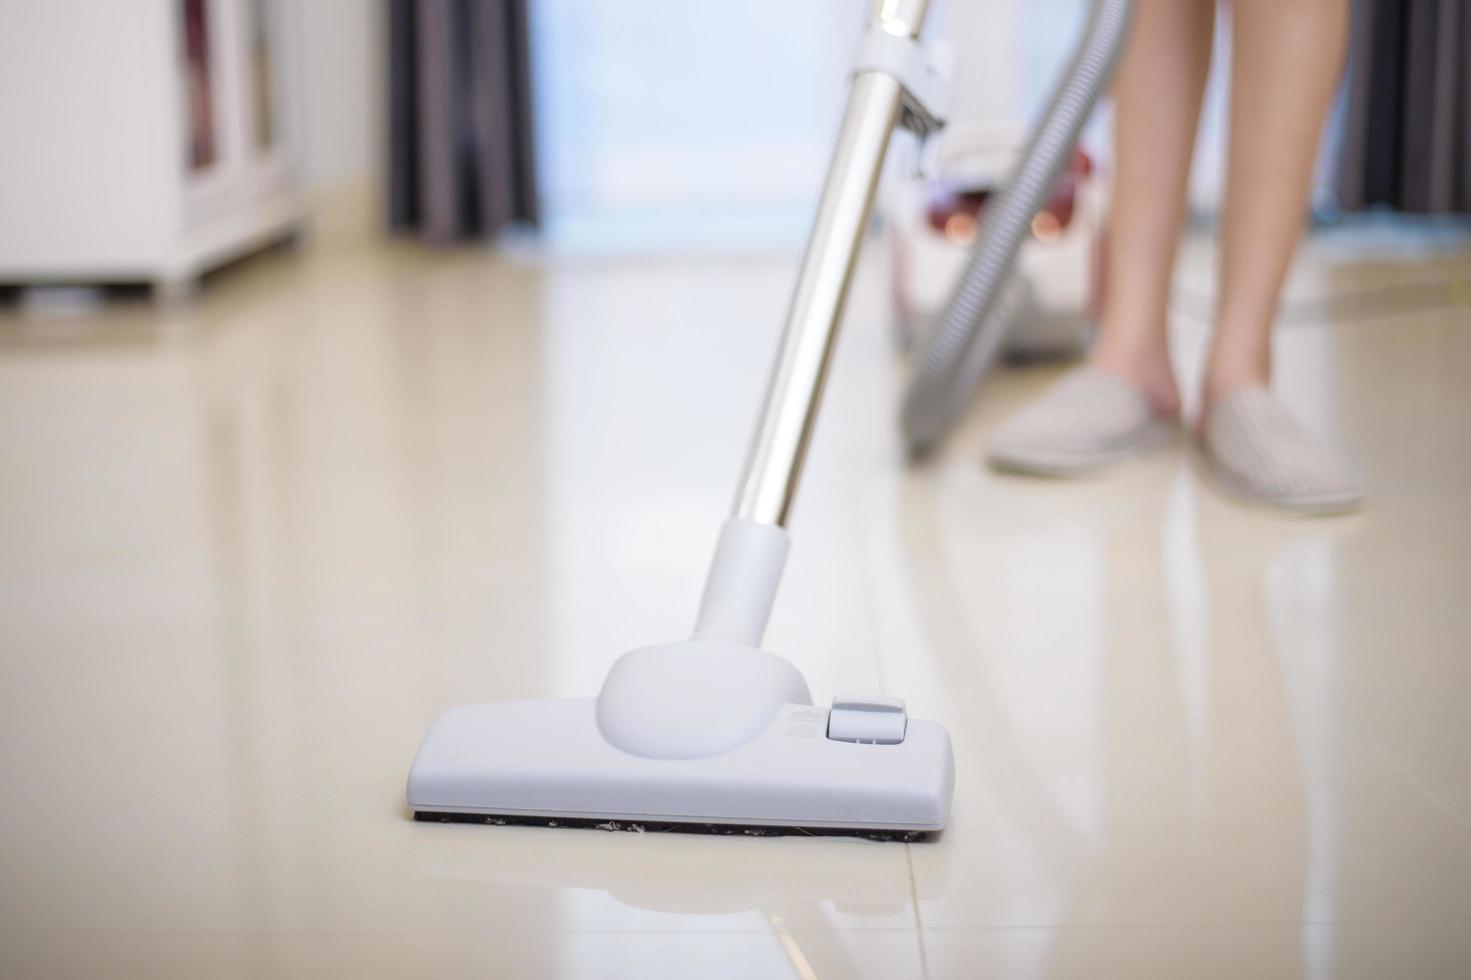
1257	451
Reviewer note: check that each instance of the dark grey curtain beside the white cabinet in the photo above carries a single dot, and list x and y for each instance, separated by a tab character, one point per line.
460	132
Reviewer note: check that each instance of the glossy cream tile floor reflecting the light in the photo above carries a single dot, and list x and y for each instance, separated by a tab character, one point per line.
249	548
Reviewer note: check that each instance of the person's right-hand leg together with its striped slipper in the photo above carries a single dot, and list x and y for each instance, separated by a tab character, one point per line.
1286	63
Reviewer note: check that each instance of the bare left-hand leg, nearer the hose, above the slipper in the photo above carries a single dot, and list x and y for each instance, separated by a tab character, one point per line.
1157	108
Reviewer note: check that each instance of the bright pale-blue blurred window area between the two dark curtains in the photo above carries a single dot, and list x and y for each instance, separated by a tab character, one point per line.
676	123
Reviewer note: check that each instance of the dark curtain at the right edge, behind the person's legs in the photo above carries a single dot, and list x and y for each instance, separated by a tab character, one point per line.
1407	126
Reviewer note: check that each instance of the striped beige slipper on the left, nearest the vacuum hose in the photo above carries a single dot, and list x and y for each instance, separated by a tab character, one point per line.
1086	422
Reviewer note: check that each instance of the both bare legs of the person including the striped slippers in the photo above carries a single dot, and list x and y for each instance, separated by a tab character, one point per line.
1286	64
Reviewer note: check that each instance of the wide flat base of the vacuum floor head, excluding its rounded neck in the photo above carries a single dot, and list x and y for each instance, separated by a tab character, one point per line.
549	763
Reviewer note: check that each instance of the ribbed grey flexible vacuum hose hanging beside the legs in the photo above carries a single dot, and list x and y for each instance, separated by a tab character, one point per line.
973	326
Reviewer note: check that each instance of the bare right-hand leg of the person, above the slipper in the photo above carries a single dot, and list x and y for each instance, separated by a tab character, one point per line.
1285	70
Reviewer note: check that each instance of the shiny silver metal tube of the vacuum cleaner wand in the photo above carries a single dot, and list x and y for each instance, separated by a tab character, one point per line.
774	466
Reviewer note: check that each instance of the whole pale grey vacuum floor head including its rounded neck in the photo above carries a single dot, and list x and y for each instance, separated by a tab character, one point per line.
713	735
